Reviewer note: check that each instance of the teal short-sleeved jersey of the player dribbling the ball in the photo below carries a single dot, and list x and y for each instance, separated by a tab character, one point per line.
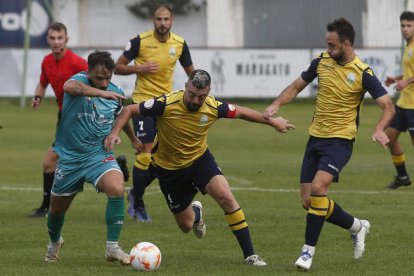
85	123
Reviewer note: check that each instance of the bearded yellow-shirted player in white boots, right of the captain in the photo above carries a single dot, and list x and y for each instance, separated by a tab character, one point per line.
343	80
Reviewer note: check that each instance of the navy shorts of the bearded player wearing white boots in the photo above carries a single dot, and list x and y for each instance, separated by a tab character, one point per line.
325	154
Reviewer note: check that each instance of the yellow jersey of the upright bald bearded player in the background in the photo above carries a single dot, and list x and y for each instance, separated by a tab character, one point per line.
146	47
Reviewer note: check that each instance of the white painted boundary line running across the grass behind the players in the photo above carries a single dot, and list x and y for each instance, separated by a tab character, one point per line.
155	190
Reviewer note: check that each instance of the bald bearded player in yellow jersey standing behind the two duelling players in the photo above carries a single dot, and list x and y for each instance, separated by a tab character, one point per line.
154	54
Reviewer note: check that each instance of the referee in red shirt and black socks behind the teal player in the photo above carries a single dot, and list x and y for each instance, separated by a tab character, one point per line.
57	67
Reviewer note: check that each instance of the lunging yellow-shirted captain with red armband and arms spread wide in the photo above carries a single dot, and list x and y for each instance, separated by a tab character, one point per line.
184	164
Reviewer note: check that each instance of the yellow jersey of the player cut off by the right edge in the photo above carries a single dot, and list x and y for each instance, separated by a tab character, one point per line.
406	99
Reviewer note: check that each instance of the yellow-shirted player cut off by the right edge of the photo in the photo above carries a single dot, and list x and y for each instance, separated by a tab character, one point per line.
404	117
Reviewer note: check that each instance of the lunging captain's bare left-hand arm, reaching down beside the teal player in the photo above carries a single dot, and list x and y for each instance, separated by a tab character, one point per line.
121	121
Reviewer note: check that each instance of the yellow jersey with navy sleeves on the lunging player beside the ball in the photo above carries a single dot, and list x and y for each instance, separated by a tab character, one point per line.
181	134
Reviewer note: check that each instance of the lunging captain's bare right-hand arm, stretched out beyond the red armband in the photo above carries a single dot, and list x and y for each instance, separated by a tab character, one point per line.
248	114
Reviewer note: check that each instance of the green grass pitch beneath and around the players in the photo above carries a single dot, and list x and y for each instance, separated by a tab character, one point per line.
262	167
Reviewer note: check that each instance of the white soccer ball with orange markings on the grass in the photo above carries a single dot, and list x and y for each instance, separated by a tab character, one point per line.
145	256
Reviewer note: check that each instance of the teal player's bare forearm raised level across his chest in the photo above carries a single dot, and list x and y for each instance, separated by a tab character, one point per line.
77	88
